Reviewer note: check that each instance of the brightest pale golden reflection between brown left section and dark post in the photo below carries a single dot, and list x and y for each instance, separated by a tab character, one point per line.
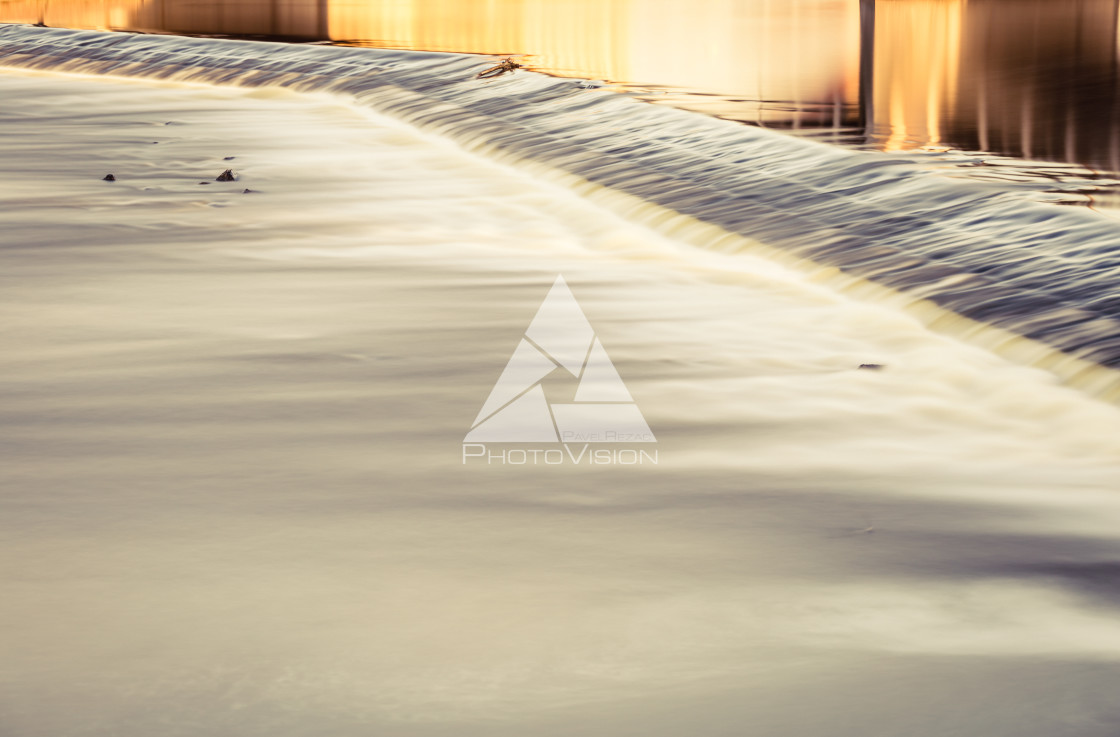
787	53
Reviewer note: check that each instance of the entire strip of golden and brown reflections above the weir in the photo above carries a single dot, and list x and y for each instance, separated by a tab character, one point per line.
1032	79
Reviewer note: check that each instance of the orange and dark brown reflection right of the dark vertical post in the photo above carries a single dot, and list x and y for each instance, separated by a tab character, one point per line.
1032	79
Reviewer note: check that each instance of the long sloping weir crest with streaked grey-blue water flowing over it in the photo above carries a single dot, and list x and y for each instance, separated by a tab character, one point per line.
1034	283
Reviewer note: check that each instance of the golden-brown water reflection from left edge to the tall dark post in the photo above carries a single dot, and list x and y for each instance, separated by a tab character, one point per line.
786	63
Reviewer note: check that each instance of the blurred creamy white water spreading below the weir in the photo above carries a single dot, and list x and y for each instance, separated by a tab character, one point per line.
235	501
